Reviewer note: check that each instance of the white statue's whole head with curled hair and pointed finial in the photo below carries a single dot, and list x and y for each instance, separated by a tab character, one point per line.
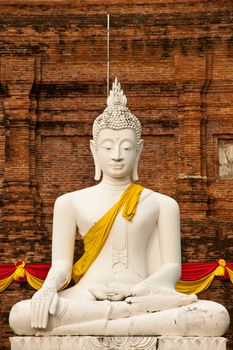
117	143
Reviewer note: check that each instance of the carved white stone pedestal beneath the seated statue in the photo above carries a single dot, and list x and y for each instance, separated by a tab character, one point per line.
117	343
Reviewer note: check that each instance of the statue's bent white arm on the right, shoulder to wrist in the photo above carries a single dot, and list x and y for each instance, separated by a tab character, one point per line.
170	250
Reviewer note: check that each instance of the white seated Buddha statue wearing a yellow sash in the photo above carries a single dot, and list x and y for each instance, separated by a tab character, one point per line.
127	276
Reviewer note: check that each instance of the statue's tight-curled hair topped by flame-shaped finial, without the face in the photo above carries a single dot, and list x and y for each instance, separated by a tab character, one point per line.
116	116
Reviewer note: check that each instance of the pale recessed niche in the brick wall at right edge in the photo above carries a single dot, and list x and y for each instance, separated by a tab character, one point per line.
225	152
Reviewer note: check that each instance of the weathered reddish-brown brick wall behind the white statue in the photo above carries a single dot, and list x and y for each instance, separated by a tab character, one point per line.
175	62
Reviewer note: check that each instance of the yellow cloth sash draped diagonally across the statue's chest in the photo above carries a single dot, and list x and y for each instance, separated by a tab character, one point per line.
96	237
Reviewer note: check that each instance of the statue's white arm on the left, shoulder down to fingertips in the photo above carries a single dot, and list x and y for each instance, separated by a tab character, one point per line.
64	228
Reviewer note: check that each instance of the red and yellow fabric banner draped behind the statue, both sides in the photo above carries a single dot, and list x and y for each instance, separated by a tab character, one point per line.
195	278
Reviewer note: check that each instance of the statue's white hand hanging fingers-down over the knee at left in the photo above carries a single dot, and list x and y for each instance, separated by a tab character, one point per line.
43	303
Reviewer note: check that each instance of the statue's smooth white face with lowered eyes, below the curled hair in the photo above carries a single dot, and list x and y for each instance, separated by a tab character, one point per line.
116	152
